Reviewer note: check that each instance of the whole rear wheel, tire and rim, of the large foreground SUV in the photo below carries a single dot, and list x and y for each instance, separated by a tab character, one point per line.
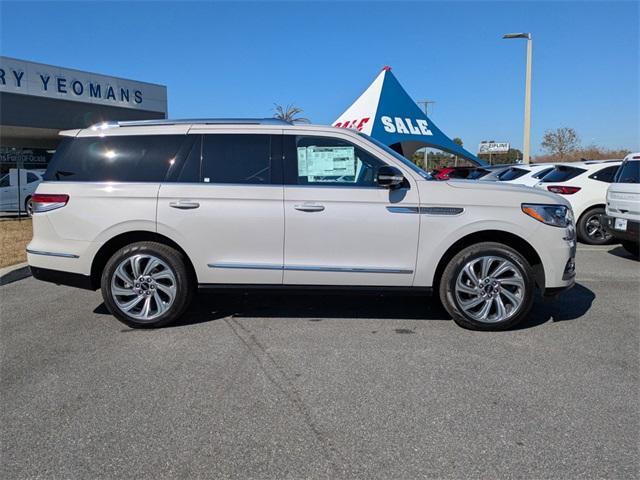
146	284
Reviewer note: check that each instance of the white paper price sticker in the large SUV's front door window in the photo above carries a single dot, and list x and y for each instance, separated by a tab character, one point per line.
314	161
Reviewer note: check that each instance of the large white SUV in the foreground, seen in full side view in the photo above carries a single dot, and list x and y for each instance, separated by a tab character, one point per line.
150	211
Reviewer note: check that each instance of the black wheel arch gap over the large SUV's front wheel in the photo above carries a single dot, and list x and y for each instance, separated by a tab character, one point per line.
499	236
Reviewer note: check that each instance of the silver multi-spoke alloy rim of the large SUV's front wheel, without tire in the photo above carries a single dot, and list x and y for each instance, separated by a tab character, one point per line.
490	289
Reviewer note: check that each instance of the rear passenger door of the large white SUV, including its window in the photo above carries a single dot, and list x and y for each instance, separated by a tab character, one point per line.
224	207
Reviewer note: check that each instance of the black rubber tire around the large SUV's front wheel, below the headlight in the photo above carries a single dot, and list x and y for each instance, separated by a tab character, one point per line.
456	265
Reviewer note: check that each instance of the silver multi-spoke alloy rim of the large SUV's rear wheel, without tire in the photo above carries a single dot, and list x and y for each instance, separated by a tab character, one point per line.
143	287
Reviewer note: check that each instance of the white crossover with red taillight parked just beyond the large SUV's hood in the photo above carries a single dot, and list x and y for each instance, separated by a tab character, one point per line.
584	185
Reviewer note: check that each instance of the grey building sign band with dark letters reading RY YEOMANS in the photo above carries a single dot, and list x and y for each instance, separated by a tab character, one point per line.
40	80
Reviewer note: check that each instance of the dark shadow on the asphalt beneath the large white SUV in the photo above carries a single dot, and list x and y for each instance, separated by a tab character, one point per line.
315	307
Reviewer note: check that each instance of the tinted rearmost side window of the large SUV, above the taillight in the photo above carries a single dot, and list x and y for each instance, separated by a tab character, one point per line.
135	158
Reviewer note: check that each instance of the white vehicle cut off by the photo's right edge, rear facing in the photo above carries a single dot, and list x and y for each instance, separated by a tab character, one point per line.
622	220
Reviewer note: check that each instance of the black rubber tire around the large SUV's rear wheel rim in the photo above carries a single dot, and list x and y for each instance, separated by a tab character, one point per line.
172	259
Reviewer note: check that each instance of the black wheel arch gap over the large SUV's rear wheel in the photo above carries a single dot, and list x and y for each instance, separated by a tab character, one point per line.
115	243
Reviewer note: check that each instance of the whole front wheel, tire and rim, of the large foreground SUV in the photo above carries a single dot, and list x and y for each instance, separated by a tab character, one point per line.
487	286
